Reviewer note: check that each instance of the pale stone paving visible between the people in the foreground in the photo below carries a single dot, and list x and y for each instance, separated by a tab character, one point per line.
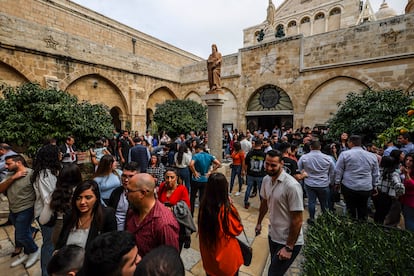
191	257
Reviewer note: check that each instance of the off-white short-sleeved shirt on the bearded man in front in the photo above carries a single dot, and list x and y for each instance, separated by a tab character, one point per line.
283	196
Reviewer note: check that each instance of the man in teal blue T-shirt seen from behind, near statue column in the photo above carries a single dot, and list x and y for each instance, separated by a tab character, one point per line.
200	168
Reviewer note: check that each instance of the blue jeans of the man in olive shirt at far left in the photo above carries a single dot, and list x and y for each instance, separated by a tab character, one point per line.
23	230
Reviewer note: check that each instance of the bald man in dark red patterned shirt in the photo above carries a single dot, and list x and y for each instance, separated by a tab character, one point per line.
149	220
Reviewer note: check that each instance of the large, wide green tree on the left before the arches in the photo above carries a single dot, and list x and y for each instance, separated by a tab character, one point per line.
30	113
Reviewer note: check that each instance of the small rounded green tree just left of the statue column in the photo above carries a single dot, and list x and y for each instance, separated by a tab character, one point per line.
180	116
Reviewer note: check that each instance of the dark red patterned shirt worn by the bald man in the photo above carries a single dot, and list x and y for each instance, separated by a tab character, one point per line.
159	227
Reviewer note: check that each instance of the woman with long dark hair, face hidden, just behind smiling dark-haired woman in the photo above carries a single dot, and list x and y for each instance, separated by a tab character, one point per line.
68	179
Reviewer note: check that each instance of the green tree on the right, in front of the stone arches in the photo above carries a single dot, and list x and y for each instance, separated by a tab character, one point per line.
368	113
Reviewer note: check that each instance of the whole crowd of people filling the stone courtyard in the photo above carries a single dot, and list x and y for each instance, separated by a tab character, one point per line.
140	201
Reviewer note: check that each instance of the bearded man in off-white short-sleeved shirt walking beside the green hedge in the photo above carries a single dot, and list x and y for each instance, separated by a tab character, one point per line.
282	196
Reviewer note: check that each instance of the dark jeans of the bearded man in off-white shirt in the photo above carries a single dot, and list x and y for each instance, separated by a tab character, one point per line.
279	267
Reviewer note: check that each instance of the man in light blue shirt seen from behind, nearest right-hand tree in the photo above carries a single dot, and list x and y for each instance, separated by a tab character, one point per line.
358	171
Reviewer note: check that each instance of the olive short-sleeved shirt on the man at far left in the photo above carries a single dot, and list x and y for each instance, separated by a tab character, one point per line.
20	193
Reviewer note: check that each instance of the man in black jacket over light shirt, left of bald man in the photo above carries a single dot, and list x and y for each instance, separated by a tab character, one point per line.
118	200
